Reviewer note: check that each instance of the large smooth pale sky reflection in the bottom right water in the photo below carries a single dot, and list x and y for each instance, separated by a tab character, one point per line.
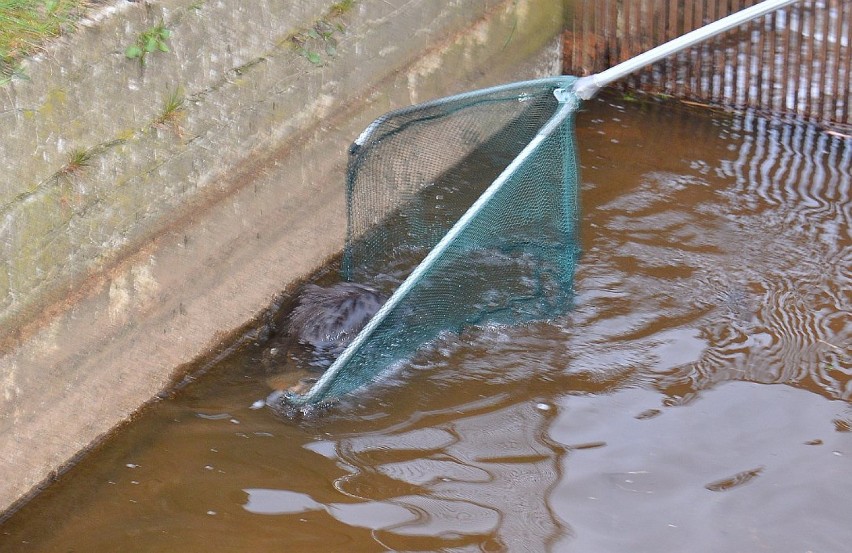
731	472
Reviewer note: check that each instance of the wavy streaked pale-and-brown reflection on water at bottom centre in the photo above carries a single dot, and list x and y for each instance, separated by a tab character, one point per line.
481	479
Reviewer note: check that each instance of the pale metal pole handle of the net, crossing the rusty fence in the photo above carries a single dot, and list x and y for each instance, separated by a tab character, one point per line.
587	87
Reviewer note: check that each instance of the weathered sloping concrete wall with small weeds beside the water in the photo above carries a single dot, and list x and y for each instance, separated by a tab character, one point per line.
134	240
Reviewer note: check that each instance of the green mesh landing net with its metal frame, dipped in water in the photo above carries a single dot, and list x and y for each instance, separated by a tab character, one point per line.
477	192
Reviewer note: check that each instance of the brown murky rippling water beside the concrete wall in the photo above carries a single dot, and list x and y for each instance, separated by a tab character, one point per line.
698	398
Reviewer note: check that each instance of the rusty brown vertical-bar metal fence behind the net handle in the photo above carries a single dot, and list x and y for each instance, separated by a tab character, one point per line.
796	60
